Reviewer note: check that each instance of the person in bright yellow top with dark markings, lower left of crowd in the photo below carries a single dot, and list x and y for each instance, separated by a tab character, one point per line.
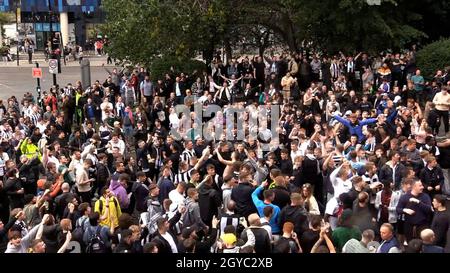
109	209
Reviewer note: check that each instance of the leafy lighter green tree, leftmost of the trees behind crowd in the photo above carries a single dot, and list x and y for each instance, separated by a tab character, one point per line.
142	30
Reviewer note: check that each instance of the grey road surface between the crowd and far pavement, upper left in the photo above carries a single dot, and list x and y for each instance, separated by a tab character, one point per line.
18	80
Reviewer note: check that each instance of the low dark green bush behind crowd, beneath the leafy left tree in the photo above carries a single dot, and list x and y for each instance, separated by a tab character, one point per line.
171	64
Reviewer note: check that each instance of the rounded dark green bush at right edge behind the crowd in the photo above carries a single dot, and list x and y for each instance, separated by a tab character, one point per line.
433	57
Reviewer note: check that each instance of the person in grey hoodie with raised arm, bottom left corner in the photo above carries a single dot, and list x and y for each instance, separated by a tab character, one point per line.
20	244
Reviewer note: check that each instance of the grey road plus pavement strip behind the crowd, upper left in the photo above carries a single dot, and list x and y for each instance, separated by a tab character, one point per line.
17	80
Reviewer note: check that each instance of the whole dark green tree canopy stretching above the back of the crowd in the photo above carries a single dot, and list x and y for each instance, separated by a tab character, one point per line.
142	30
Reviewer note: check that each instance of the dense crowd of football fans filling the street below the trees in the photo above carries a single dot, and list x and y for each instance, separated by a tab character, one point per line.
357	165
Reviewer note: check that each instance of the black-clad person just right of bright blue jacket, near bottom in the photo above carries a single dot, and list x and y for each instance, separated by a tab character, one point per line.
296	214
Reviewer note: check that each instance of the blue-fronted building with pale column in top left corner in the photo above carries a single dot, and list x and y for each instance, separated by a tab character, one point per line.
76	20
